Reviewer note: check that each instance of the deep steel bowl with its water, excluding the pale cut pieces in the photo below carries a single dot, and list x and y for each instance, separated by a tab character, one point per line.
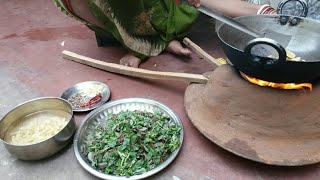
54	106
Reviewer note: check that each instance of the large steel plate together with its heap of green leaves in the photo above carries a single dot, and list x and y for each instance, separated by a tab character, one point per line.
130	138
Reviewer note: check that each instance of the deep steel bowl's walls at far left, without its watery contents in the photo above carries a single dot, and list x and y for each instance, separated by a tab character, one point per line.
46	147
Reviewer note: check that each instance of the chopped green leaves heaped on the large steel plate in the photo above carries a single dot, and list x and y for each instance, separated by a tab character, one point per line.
131	143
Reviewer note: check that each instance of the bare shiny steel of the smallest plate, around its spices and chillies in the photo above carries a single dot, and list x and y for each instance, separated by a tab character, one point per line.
77	88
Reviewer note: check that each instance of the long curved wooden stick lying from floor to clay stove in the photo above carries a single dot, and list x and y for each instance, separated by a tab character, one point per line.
136	72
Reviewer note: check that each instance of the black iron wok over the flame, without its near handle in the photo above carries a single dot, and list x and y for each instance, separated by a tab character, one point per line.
305	43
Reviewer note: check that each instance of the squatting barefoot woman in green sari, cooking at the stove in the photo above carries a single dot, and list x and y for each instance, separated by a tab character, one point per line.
146	27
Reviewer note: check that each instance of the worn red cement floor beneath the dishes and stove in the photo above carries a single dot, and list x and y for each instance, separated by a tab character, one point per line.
31	65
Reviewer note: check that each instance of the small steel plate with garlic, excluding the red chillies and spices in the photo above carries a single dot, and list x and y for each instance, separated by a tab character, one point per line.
88	90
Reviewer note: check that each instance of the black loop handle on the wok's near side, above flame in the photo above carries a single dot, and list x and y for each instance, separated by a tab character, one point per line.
265	62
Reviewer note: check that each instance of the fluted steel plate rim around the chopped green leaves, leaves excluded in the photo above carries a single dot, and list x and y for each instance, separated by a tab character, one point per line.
99	116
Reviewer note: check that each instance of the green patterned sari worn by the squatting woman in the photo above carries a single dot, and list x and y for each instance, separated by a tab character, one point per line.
144	27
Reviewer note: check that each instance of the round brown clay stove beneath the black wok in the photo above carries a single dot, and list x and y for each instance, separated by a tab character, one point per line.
272	126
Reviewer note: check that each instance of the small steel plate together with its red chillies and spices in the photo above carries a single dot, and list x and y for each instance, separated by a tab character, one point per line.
86	96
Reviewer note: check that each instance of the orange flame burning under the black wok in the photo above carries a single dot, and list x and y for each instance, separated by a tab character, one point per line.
277	85
